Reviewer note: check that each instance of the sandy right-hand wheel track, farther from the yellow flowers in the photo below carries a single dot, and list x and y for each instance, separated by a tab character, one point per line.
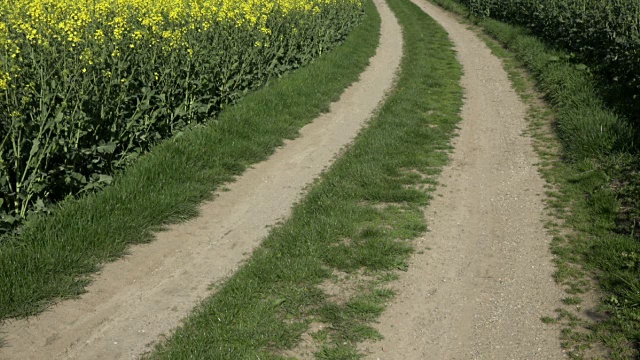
485	278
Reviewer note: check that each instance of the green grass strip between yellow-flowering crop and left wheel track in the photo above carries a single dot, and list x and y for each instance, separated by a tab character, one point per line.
54	256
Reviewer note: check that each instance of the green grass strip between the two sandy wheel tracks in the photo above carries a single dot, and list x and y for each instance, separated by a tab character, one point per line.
355	225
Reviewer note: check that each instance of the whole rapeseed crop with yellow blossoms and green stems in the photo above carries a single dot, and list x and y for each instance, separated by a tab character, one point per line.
88	85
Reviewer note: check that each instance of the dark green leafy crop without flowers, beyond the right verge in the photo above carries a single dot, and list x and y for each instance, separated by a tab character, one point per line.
604	34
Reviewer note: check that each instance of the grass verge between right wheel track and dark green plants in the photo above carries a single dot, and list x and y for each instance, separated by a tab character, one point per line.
591	163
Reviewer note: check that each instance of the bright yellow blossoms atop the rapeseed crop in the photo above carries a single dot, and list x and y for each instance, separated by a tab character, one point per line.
78	25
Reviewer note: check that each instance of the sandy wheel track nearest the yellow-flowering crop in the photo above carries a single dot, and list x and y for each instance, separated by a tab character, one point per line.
136	300
